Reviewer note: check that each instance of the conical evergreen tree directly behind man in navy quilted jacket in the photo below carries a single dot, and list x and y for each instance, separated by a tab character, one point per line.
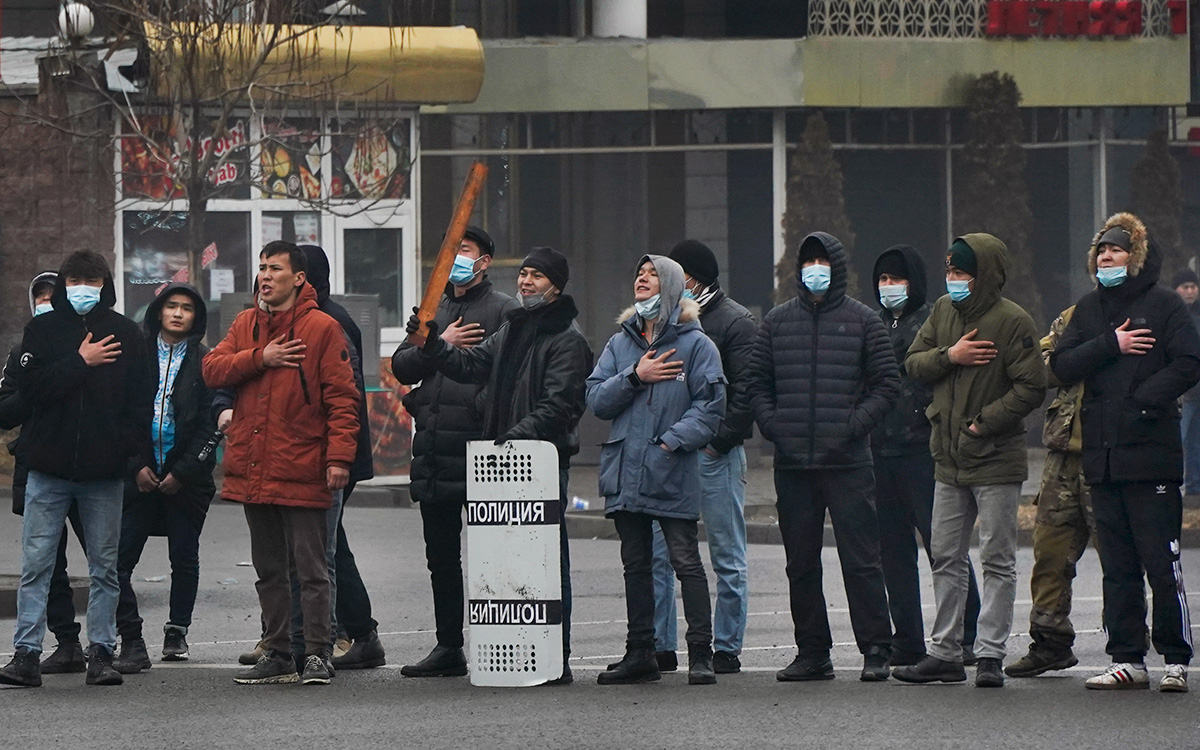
815	203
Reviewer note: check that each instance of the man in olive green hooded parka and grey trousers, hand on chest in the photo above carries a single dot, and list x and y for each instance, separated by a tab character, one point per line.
980	353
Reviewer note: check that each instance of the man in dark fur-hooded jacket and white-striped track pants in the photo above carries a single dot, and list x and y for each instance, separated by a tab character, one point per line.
1133	345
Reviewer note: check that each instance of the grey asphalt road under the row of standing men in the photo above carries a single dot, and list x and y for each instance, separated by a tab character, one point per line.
197	705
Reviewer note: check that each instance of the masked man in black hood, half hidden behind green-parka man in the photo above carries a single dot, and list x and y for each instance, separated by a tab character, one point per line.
904	467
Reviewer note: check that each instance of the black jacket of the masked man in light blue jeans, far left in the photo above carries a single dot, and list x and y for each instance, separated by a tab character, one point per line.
87	423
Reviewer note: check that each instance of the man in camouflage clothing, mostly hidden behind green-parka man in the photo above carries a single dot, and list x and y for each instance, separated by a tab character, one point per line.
1063	527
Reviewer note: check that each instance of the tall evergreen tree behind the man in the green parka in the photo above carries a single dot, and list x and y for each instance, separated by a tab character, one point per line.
991	194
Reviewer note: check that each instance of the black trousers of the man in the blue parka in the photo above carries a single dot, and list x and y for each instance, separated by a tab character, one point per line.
637	535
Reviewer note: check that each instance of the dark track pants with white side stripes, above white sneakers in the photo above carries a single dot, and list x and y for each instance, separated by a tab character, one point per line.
1138	530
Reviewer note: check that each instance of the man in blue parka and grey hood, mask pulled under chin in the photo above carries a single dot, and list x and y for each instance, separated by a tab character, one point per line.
662	385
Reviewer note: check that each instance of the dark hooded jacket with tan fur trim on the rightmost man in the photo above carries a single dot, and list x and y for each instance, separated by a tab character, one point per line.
1131	415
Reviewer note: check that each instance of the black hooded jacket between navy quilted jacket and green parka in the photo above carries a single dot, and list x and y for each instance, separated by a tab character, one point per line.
905	428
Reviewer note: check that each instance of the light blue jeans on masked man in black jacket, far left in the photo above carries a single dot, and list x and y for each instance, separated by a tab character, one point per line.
47	501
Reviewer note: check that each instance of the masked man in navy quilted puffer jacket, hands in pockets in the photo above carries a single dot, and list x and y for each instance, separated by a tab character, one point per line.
825	376
